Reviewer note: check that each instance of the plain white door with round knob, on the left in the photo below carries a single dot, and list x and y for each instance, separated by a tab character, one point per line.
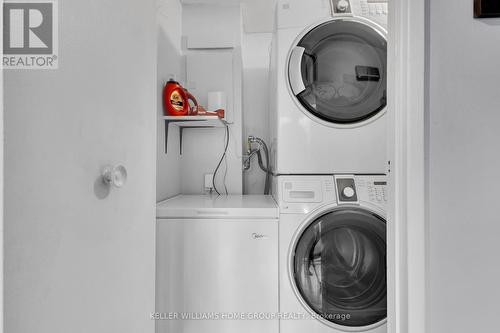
79	255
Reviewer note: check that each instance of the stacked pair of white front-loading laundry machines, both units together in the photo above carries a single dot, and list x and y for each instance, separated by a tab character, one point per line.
329	159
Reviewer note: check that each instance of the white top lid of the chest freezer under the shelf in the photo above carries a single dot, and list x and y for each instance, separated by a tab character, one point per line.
220	207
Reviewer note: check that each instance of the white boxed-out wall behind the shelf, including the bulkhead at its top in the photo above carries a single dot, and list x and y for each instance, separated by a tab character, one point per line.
211	37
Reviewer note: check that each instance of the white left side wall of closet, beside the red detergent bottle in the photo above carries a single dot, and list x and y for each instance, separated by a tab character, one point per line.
170	65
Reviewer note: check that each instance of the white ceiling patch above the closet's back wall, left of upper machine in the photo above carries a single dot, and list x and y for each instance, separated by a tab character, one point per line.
258	15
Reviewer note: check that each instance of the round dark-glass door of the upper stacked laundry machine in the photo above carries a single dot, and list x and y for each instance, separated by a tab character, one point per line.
338	71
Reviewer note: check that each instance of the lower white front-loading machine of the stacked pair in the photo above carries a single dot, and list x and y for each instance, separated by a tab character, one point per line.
332	252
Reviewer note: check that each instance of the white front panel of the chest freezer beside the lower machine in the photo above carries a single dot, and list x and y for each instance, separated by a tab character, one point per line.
217	268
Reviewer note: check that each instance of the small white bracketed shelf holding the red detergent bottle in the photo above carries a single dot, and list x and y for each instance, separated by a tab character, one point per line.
186	122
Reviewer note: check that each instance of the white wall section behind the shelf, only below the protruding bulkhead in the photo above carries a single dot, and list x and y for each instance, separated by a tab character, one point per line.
214	70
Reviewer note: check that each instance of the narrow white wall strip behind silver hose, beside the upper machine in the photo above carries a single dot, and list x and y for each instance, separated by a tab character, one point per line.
255	50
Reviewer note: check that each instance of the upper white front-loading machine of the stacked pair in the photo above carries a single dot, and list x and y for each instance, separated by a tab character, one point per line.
329	78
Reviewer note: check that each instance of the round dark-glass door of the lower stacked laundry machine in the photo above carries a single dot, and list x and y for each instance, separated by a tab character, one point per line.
339	267
